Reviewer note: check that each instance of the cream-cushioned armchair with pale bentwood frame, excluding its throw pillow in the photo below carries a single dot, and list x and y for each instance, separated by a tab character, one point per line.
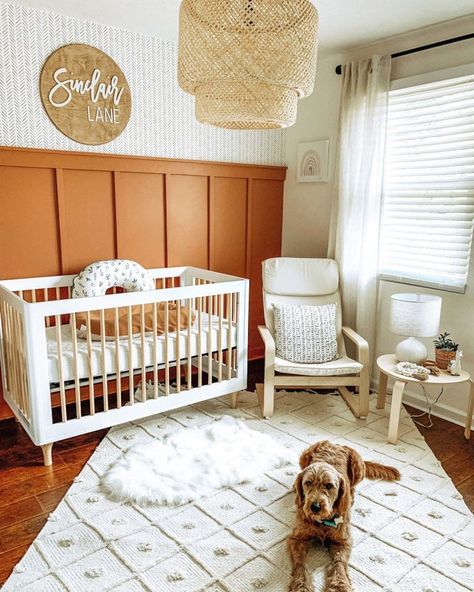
310	281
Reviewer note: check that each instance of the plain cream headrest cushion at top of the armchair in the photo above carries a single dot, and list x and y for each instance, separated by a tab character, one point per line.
293	276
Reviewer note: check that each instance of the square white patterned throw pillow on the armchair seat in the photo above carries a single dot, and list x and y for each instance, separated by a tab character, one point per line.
305	333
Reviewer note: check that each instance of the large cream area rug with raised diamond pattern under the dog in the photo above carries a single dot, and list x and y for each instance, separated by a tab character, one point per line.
412	536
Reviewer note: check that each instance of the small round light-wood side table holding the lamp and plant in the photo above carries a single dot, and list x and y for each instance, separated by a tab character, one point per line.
387	366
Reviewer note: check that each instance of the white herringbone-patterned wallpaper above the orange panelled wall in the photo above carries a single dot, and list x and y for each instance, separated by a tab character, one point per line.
162	121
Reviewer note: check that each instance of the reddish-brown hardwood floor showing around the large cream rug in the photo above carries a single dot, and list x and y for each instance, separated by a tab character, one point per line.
29	491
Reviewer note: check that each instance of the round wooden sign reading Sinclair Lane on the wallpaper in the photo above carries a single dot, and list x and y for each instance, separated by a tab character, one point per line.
85	94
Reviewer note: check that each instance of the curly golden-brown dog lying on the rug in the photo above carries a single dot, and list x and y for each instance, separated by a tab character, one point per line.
324	496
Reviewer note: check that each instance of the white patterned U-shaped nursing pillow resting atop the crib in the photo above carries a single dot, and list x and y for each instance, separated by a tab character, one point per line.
98	277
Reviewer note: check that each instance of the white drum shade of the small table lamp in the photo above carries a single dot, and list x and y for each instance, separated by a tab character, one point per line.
415	315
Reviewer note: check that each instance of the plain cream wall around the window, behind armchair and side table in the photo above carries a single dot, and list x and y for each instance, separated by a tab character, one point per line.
307	206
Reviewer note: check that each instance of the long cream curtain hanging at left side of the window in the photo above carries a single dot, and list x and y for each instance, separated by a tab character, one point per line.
354	232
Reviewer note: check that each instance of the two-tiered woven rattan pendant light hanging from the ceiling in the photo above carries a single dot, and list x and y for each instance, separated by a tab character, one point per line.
247	61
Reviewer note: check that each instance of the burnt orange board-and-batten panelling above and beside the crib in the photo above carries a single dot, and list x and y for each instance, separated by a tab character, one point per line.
59	211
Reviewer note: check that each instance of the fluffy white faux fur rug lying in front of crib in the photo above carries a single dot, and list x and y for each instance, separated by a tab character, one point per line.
194	462
